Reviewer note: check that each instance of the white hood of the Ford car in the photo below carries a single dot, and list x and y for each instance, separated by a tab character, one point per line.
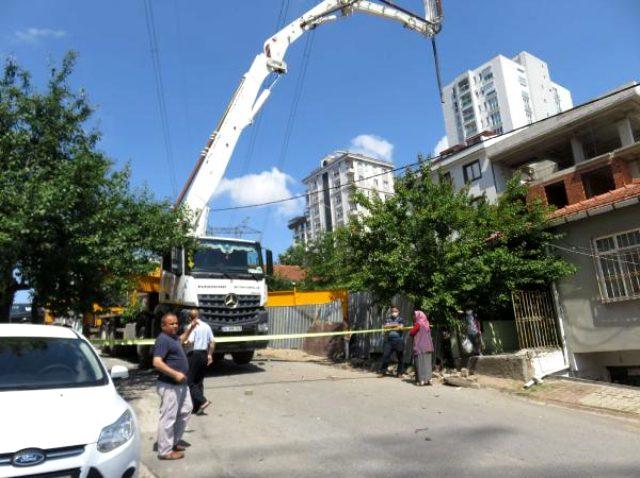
56	418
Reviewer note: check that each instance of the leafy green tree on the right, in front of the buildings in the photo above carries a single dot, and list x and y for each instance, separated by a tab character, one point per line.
448	251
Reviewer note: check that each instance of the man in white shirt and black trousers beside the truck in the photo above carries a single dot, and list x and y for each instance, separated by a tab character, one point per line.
200	356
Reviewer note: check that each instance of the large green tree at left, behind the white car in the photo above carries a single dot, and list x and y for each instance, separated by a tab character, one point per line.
71	227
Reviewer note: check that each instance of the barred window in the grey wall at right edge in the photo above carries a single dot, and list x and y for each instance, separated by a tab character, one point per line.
618	265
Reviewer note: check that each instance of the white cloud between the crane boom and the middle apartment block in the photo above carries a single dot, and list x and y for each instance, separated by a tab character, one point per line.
260	188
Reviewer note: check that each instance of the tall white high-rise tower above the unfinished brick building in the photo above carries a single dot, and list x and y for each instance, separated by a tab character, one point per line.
501	95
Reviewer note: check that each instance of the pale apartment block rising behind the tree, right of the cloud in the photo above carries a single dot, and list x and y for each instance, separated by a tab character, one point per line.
329	199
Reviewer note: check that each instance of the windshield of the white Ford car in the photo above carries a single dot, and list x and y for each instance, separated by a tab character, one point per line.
30	363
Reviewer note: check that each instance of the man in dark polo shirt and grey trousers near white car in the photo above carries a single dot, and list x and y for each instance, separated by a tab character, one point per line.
171	361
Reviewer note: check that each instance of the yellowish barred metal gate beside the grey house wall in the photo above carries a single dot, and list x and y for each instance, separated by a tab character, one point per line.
535	319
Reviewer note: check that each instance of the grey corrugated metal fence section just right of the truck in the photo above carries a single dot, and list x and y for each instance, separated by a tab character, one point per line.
298	320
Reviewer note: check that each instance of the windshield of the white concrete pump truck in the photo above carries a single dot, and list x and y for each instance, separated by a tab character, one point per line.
227	257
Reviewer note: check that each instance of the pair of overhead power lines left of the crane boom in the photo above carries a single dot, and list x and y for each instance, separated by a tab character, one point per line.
162	107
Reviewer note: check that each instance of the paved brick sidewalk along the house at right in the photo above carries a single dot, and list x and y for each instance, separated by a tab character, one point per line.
601	397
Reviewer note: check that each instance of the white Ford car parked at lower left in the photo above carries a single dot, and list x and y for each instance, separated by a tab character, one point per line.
60	414
